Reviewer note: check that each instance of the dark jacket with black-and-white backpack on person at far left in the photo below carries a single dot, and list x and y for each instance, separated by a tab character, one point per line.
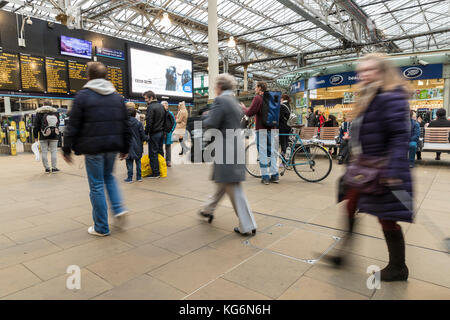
46	123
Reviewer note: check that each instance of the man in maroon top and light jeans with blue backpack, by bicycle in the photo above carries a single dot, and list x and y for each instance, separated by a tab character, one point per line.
266	133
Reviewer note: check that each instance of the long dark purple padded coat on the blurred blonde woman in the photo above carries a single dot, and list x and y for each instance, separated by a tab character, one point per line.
385	131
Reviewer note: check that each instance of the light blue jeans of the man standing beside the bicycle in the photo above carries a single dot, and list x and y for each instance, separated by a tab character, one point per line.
267	145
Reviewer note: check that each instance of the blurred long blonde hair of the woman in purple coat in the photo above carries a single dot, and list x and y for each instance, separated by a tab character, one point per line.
390	80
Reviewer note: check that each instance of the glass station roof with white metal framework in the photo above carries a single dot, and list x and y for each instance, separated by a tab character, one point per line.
264	29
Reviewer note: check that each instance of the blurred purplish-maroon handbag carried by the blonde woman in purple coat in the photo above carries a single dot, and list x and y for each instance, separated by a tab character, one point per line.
365	173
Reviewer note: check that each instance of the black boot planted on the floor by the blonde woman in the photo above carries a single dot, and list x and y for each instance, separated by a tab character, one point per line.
396	270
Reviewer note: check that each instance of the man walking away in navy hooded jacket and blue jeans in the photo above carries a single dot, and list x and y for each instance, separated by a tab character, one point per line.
98	128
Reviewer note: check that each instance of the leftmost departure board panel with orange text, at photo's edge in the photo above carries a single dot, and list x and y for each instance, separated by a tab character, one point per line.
9	72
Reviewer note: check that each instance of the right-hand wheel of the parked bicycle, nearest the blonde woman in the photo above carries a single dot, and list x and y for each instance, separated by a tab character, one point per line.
312	162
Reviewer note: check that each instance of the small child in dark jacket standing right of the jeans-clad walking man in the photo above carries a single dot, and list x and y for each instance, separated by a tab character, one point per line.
138	137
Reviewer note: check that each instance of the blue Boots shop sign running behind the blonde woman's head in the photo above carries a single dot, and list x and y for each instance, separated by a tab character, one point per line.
431	71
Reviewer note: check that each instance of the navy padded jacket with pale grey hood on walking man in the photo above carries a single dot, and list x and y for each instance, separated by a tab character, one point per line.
98	121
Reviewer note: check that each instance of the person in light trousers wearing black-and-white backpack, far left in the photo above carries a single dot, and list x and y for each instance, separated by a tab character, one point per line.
46	127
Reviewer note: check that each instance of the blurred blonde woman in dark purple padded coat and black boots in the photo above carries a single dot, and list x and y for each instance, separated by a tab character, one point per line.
382	129
